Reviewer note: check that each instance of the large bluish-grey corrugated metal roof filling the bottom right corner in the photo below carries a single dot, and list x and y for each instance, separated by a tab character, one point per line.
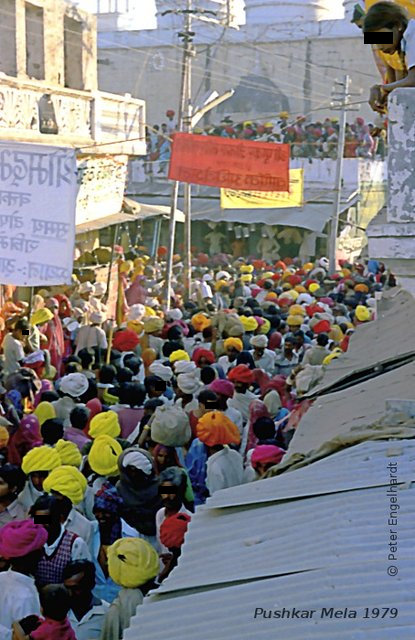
238	558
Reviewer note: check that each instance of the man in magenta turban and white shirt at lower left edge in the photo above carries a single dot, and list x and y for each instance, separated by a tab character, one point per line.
21	541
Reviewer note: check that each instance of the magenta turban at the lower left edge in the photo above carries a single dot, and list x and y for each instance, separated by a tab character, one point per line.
21	537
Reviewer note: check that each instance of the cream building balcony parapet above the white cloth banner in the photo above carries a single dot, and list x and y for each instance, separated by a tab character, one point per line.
38	113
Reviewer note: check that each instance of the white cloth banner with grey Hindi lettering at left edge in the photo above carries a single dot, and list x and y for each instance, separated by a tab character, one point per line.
38	187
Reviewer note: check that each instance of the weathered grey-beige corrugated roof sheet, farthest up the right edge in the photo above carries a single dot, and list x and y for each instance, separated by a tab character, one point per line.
392	335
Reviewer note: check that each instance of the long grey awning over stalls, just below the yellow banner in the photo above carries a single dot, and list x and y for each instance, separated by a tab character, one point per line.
312	216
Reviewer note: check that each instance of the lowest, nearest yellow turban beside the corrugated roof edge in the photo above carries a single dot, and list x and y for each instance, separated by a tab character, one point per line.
132	562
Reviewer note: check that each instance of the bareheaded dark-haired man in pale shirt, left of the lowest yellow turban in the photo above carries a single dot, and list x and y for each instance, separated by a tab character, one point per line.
87	612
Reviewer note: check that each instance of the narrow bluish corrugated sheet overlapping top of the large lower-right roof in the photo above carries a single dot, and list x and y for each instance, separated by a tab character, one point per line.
361	466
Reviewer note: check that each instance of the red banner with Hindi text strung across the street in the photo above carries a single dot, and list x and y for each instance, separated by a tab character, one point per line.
229	163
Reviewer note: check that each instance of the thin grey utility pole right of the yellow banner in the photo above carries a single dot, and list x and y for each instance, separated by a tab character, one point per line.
344	99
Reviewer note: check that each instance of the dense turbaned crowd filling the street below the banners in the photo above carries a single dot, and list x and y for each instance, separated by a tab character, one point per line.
112	436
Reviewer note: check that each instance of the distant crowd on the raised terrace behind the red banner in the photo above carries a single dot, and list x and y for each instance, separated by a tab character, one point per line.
307	139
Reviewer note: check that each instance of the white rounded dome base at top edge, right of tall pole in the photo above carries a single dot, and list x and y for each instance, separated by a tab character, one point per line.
279	11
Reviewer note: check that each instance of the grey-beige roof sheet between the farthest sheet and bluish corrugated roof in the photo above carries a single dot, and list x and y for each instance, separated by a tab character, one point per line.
343	411
